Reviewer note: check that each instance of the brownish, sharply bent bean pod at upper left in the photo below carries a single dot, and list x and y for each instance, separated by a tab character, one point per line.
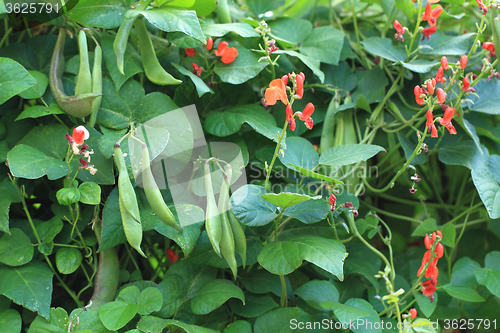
78	105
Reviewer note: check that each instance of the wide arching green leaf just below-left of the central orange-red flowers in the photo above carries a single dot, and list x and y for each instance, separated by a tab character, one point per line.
230	121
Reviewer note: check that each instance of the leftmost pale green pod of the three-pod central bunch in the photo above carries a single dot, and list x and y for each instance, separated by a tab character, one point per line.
213	223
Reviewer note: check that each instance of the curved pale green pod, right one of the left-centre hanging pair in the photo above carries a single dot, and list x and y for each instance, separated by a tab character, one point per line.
153	194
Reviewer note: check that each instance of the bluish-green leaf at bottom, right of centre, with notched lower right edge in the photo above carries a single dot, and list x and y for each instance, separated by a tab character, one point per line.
315	292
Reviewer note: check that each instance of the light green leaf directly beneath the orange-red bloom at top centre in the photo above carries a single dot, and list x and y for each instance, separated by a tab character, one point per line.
244	67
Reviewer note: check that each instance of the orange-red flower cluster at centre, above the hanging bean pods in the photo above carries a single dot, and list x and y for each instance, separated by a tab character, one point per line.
277	91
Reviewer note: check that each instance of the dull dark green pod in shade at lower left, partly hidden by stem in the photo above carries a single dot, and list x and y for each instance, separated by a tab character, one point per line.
108	275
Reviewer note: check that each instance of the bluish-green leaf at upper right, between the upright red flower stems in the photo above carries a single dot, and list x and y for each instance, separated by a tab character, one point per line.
441	44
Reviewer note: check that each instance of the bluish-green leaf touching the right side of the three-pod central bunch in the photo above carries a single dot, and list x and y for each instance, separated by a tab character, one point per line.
250	208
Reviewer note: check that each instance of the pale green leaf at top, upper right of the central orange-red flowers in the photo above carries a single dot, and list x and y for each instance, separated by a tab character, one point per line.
325	44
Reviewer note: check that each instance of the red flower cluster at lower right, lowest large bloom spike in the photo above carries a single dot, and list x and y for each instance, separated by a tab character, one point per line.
434	252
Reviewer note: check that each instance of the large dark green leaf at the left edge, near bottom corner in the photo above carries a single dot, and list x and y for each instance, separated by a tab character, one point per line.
29	286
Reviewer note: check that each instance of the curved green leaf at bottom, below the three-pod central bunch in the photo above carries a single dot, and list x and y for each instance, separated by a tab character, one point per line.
214	294
